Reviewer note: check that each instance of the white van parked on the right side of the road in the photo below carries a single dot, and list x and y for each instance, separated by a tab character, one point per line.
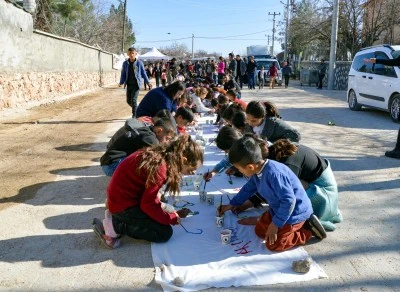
375	85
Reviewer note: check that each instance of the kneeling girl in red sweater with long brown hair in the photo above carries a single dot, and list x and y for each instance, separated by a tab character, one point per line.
132	194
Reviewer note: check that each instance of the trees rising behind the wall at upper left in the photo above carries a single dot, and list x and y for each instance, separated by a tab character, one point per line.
93	22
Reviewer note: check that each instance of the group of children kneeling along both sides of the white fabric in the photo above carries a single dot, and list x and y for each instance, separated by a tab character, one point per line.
151	153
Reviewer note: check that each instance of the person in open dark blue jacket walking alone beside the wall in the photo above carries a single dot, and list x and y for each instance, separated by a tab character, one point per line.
131	77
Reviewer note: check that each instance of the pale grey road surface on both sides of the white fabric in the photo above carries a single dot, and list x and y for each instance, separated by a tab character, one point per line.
46	242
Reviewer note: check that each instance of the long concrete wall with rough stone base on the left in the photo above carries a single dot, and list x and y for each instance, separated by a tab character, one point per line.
37	66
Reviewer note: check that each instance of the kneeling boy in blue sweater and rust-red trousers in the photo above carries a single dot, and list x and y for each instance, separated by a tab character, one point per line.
290	221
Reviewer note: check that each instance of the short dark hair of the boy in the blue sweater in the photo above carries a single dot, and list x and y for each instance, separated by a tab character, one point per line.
245	151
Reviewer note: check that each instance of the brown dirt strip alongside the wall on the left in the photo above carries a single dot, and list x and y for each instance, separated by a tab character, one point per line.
38	142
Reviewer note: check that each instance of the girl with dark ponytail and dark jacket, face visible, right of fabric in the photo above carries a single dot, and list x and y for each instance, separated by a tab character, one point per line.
264	121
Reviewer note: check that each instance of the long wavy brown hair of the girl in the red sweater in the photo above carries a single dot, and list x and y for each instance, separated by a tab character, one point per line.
172	155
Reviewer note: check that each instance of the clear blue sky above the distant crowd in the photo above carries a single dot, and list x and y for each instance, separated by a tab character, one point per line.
218	25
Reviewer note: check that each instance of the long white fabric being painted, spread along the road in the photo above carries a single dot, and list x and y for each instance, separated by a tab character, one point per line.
201	261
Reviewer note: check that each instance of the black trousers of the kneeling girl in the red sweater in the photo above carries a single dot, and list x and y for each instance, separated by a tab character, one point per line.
134	223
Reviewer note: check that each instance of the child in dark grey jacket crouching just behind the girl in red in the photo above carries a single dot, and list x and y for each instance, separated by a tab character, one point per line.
134	135
